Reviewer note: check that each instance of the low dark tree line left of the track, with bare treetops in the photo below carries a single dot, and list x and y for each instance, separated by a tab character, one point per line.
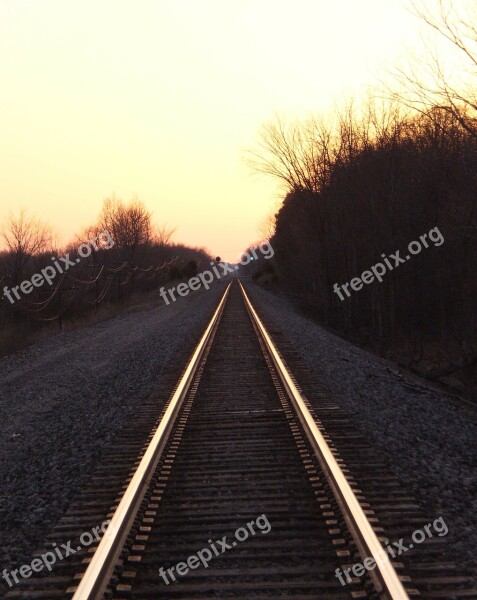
122	253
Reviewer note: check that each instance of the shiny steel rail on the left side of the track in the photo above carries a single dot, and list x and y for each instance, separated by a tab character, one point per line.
96	578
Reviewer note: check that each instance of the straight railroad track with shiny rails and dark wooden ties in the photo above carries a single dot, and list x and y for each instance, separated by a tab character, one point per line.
240	492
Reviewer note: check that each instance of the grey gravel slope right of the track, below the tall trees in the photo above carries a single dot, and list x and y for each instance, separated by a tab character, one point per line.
428	437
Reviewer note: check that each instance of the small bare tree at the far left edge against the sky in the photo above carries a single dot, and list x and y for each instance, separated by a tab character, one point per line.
25	237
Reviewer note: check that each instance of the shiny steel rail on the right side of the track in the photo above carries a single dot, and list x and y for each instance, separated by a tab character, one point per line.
384	576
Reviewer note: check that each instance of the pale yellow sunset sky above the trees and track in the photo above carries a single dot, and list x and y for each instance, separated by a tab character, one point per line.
160	99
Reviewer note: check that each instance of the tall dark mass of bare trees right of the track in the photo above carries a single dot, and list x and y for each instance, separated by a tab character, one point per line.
369	182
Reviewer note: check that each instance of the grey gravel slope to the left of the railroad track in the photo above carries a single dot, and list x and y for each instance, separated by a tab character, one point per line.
61	401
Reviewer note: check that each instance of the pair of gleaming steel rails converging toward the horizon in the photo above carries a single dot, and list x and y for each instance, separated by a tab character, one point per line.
97	576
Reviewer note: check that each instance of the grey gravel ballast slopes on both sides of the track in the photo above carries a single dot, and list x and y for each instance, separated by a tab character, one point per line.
63	399
